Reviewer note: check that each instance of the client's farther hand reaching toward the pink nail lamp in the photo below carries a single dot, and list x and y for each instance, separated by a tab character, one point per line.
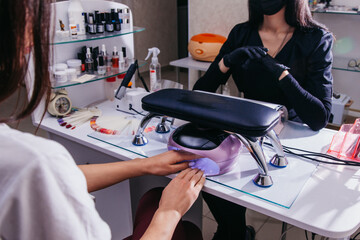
168	162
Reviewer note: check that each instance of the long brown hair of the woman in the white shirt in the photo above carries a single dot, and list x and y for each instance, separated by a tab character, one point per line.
18	19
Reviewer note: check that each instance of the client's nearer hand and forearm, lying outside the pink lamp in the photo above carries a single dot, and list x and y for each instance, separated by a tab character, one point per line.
176	199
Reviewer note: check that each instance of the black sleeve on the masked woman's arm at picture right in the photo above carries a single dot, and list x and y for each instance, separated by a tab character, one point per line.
312	102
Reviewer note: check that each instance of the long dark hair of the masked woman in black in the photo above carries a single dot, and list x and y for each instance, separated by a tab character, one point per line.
297	14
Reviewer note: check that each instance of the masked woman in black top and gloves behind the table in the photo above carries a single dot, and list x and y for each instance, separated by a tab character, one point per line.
281	55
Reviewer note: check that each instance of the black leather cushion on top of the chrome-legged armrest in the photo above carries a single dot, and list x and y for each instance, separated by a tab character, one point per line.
214	111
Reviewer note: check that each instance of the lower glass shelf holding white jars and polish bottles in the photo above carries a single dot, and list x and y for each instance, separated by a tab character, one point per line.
112	73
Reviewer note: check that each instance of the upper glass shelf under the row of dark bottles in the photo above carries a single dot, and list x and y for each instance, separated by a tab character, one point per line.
90	37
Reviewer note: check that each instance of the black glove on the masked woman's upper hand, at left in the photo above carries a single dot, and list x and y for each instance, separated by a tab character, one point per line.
240	55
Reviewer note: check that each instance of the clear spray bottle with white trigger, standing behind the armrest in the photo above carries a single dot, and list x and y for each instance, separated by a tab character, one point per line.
155	69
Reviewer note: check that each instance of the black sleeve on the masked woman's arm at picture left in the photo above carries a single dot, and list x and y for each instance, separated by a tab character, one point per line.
213	77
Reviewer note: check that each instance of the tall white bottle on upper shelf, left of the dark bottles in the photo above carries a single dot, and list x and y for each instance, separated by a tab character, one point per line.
75	13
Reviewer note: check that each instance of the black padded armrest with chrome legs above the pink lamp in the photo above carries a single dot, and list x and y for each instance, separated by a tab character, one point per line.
248	121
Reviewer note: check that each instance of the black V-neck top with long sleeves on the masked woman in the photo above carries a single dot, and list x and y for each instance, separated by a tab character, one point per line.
306	91
